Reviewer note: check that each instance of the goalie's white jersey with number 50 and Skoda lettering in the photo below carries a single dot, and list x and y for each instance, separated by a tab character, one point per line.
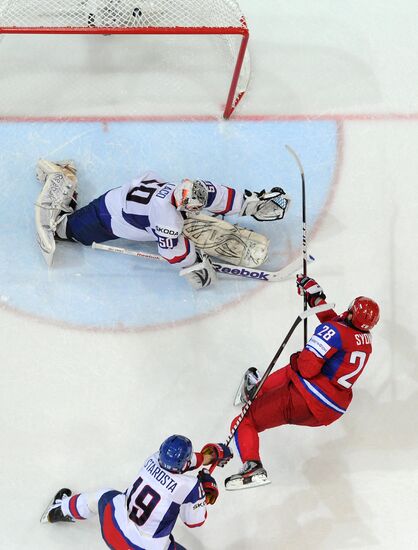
144	210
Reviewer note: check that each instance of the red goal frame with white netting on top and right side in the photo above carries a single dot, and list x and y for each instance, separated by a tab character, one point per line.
136	17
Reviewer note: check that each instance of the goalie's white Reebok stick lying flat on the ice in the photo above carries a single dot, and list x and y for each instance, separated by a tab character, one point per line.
226	269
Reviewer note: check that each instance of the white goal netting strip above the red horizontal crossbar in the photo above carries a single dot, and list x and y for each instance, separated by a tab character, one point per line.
62	14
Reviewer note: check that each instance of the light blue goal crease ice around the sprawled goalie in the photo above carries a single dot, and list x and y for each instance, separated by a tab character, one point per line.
92	290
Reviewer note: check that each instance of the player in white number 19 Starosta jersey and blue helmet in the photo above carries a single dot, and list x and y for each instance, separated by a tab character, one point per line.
143	517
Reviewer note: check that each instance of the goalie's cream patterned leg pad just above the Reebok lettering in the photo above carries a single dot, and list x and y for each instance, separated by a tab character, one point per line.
231	243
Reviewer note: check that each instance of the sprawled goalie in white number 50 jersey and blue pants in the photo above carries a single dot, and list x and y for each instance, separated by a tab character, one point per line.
152	209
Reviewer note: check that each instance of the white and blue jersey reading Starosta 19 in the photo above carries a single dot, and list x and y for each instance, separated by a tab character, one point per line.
156	499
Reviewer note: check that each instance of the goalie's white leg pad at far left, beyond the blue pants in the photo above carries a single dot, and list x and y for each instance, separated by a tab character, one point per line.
56	200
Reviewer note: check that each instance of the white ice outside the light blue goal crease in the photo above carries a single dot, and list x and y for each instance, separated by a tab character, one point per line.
83	408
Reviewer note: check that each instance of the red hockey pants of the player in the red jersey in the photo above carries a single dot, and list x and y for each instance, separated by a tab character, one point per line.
278	403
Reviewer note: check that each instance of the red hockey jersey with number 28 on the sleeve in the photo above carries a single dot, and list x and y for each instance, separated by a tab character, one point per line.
330	363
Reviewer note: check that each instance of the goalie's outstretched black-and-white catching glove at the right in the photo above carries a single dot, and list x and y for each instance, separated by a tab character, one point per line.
265	206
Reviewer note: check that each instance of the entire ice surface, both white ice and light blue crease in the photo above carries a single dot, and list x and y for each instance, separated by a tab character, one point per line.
82	404
